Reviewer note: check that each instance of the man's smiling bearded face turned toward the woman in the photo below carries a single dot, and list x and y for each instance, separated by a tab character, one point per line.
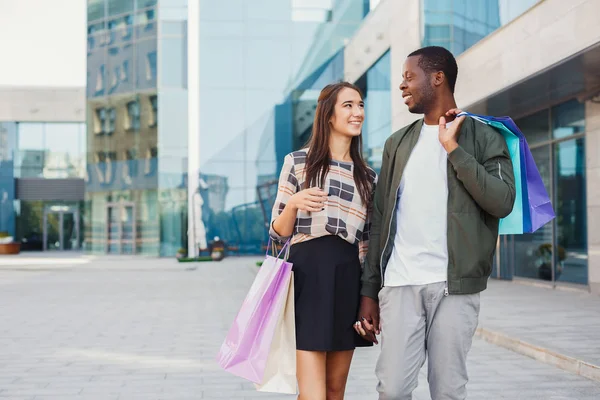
417	88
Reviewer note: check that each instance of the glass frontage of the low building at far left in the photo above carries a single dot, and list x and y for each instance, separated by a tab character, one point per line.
41	150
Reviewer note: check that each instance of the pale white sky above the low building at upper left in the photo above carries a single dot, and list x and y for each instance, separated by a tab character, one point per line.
43	42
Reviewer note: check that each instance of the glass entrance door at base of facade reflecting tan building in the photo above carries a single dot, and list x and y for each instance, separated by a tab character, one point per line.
121	229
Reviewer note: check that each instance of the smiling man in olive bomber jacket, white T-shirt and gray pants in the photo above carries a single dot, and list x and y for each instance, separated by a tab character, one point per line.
442	189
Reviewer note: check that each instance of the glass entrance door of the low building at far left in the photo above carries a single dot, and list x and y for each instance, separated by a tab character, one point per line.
61	228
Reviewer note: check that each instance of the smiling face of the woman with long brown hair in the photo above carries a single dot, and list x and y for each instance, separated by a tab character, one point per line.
348	113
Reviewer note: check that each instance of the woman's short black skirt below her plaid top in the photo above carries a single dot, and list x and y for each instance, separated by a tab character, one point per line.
327	294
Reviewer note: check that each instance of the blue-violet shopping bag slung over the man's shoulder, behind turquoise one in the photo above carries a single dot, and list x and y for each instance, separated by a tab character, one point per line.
537	207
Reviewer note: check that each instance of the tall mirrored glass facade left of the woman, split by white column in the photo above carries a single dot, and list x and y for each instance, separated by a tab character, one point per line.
262	66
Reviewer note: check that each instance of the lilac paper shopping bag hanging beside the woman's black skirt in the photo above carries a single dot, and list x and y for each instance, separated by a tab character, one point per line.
246	348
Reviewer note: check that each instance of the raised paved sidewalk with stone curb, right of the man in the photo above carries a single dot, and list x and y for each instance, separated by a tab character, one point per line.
559	327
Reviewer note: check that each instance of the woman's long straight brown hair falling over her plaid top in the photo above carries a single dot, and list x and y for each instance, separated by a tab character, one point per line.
319	155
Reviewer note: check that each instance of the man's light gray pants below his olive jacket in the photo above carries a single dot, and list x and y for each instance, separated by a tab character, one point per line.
417	321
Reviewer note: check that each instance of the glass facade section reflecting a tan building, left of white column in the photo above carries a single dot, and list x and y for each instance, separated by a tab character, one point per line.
136	126
